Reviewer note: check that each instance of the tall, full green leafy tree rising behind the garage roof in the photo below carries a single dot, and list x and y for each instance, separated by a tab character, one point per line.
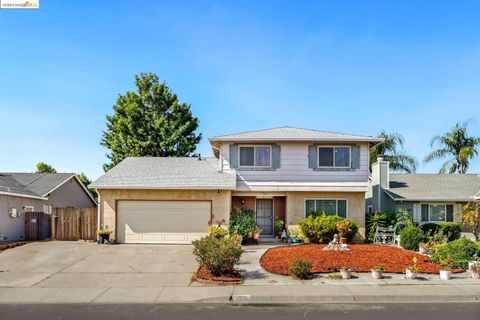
150	121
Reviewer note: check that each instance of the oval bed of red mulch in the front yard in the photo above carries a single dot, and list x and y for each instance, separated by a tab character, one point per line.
360	258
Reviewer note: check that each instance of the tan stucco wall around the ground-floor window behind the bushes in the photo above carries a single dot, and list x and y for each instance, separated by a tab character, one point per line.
355	205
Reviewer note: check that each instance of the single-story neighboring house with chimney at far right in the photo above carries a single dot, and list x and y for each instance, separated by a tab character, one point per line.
427	197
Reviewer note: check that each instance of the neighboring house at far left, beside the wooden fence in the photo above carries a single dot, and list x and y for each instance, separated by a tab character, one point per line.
23	192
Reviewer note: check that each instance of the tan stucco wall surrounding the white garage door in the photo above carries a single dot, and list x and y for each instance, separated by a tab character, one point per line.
221	201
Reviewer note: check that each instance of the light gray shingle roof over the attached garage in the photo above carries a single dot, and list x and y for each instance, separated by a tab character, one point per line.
166	173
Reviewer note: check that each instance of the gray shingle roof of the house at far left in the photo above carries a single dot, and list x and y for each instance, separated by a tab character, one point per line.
32	184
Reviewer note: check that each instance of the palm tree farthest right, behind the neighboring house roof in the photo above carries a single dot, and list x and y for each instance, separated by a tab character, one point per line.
457	146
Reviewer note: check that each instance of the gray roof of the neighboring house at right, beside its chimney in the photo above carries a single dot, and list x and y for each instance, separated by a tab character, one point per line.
433	187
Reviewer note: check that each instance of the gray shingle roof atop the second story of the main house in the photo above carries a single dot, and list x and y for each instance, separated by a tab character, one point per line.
294	134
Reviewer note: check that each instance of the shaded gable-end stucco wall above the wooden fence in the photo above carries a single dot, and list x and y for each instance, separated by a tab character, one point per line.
70	195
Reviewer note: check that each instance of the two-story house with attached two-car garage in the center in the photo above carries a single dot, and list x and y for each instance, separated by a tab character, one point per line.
281	173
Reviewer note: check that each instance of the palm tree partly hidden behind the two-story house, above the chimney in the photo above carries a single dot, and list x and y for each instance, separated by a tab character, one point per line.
392	150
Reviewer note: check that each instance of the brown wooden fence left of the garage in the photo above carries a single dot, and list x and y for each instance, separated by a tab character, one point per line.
74	224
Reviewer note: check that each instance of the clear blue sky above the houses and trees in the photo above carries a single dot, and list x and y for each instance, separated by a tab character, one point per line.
350	66
